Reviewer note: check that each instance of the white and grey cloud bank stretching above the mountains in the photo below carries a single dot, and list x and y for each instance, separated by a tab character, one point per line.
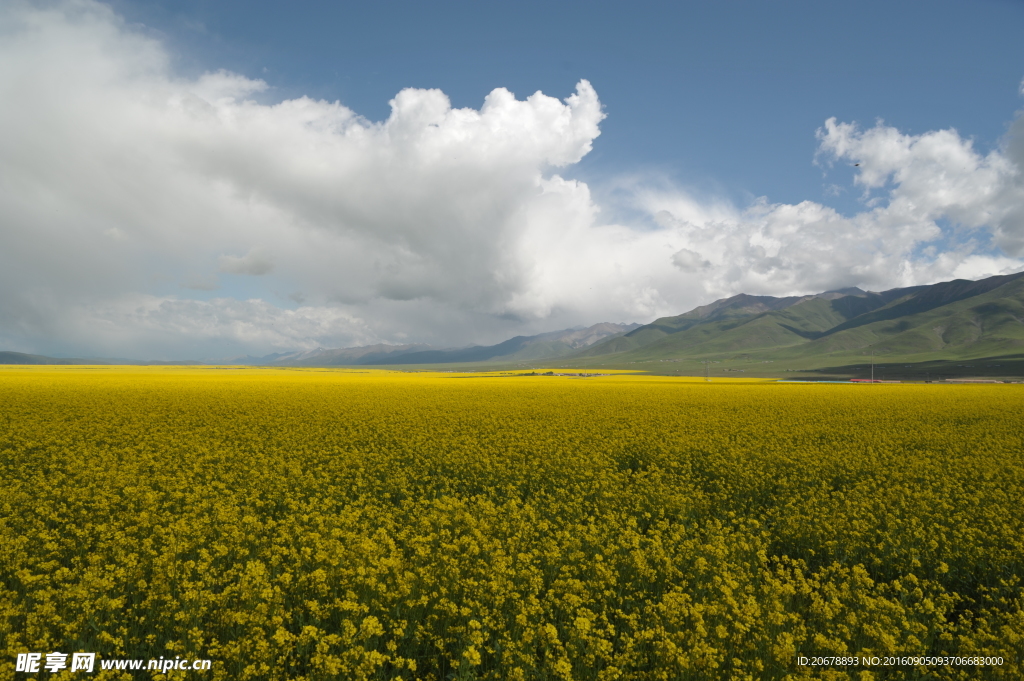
147	215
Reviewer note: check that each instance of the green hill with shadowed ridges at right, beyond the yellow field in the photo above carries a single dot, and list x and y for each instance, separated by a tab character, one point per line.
952	320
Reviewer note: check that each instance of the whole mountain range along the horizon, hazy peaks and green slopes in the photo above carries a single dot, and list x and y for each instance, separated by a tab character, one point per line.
942	322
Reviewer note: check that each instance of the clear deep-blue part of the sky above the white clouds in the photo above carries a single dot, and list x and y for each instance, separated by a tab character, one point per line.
724	97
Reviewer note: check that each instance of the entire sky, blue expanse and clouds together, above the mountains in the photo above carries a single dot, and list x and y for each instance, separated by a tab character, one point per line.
178	181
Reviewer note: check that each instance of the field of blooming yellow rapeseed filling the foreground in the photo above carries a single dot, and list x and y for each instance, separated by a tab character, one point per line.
340	525
